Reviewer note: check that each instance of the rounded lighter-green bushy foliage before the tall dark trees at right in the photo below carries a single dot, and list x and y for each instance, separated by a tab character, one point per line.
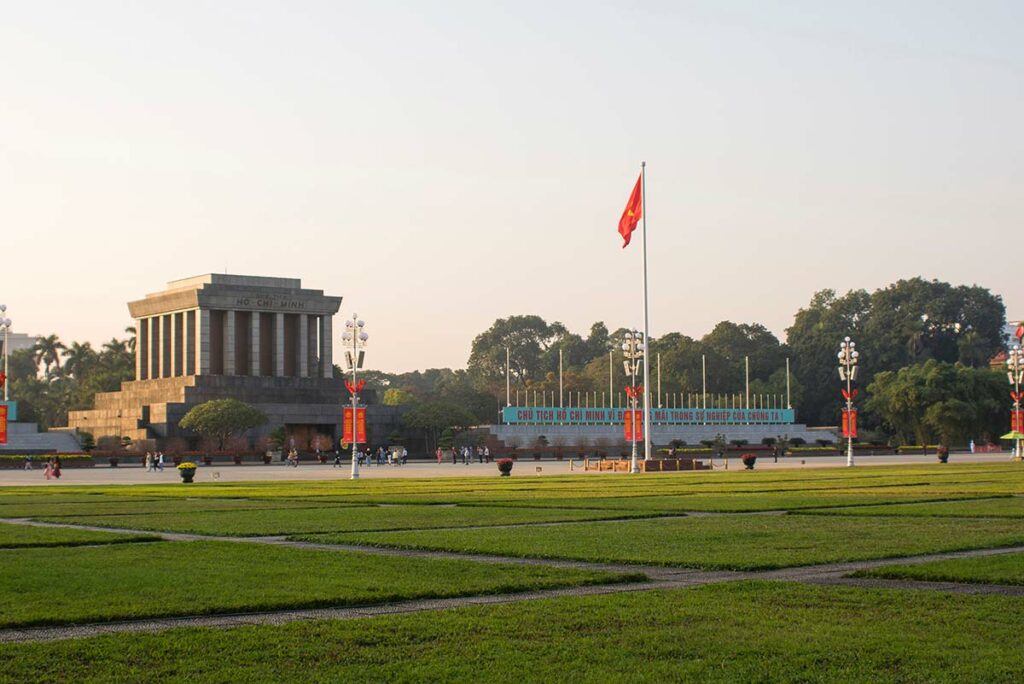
942	402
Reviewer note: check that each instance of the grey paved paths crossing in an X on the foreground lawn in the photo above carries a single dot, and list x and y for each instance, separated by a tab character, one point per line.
660	578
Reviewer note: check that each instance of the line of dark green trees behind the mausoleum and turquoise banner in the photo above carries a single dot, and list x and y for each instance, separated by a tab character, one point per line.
914	335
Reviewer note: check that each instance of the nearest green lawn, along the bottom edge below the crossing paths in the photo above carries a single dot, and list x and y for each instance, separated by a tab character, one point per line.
746	632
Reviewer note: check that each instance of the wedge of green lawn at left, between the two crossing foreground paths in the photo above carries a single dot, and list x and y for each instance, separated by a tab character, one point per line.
99	584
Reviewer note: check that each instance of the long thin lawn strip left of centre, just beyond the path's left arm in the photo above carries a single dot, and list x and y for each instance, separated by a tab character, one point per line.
310	521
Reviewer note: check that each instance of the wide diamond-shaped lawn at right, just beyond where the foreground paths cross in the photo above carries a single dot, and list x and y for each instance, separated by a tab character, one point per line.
737	542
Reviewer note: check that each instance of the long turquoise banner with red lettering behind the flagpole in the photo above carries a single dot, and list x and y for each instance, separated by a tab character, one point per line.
577	416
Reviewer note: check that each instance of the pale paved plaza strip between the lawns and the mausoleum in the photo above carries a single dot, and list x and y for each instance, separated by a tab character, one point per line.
229	473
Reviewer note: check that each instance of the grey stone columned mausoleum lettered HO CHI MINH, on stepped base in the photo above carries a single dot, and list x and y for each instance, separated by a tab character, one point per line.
266	341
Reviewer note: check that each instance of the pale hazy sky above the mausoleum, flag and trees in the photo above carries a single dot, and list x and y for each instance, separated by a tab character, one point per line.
442	165
